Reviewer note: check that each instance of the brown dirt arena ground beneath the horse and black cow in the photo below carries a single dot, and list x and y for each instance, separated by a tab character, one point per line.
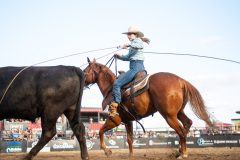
139	154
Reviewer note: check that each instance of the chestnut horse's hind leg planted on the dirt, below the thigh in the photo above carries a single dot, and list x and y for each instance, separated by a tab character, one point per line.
174	123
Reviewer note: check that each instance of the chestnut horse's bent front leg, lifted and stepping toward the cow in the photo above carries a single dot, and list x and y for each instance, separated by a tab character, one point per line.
110	123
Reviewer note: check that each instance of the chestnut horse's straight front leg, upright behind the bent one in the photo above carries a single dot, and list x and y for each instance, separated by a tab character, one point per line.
129	129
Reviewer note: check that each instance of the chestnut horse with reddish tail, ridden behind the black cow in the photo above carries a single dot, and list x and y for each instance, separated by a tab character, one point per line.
167	94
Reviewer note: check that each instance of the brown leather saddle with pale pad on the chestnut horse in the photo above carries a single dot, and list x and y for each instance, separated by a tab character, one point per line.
138	85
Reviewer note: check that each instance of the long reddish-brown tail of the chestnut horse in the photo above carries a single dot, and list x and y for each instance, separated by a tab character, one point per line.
197	103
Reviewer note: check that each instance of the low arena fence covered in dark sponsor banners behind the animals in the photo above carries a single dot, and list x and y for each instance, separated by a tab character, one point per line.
221	140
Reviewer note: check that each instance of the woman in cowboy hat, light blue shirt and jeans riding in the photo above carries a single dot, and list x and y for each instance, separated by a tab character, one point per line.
136	58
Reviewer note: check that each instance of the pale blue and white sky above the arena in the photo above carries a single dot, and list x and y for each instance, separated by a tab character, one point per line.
32	31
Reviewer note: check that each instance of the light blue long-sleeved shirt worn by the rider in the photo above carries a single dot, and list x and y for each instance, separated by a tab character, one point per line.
135	51
